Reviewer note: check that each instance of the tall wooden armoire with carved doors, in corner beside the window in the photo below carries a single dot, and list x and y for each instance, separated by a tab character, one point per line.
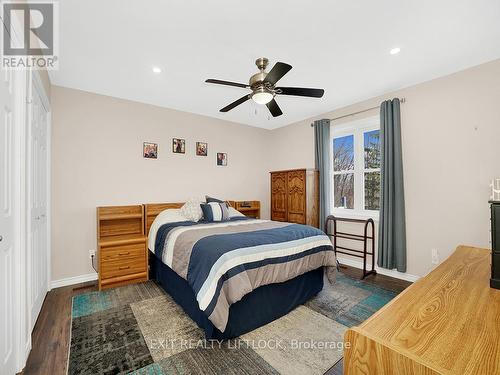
295	196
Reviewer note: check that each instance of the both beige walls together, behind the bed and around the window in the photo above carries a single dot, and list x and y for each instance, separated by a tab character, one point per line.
451	128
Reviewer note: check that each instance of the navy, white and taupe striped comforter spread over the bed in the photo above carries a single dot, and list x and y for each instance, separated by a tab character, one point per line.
223	262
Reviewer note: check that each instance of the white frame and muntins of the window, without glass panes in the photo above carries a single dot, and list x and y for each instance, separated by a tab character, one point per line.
357	129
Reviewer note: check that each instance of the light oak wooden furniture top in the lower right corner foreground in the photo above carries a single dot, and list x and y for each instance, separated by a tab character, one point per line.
446	323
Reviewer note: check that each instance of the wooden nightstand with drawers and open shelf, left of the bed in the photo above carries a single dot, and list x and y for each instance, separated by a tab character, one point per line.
121	246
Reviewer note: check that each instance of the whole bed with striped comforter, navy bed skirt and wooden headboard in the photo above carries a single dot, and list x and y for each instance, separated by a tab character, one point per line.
234	276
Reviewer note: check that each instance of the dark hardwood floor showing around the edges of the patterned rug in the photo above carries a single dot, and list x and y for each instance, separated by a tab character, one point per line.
51	335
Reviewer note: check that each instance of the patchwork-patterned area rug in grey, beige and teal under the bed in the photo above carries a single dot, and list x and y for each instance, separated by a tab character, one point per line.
139	329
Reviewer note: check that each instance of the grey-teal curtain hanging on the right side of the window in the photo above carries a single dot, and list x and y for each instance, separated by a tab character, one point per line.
392	226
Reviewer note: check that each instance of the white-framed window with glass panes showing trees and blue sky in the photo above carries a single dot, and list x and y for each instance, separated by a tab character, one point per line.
356	167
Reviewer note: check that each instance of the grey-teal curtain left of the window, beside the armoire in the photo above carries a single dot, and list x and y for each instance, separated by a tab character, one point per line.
322	163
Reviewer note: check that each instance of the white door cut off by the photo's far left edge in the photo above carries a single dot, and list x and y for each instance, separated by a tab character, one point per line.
7	226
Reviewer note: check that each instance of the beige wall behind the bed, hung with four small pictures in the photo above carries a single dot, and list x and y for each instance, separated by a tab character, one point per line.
97	160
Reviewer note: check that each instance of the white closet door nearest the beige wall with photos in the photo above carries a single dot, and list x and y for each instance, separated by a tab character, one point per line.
37	231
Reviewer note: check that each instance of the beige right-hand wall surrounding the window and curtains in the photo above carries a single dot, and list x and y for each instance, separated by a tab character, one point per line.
451	130
